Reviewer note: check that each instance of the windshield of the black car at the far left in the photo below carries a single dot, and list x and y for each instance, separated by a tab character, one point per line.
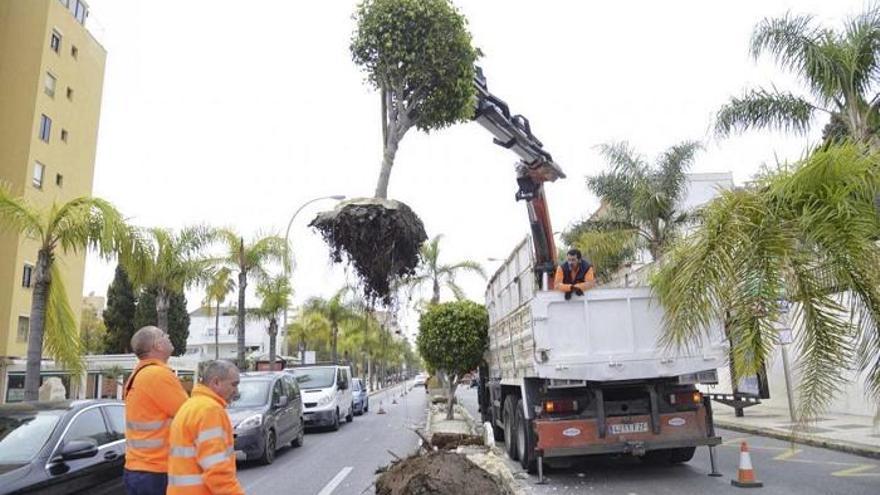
23	435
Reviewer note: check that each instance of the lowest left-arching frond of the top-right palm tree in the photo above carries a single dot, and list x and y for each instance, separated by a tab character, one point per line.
761	108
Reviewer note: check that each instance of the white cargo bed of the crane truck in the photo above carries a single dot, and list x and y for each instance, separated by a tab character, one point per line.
606	335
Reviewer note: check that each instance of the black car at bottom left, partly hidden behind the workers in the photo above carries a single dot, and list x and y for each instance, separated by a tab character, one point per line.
62	447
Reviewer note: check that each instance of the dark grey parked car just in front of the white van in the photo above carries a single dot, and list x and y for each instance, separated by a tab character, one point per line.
267	415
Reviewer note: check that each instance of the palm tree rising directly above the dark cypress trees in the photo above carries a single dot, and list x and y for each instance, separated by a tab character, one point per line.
175	262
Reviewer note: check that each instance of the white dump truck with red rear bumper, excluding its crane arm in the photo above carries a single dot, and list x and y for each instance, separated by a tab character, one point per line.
586	376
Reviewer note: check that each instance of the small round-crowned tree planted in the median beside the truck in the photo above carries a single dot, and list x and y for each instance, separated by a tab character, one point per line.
452	339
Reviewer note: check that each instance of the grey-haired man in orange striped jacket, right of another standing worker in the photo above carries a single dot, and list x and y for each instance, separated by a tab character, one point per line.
202	457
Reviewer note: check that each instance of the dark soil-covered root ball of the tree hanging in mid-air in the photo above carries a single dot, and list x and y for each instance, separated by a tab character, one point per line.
381	238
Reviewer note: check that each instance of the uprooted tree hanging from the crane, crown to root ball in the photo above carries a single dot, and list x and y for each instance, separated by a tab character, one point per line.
418	55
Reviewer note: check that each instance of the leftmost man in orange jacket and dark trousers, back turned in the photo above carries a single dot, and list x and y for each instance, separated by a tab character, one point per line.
153	394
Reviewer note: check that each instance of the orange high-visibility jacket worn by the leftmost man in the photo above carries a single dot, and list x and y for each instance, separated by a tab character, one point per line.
153	396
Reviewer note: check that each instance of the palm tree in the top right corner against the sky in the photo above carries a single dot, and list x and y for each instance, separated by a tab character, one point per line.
839	69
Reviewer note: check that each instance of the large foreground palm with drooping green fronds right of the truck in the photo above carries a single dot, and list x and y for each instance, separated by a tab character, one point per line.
805	235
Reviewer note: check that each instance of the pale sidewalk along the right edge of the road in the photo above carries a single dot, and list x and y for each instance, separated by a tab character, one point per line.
844	432
